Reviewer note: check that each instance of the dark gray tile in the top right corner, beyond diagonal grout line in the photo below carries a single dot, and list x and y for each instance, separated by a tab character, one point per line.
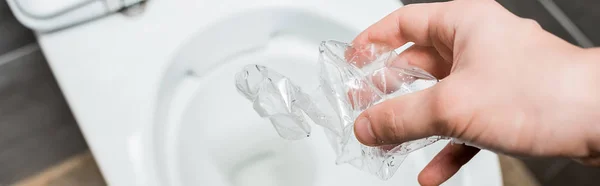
585	14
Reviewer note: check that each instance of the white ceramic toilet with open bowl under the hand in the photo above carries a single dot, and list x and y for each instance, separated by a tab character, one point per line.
152	88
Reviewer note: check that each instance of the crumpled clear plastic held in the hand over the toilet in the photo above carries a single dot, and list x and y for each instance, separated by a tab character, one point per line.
351	80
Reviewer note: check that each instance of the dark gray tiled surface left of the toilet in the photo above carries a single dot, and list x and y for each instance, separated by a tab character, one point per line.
37	128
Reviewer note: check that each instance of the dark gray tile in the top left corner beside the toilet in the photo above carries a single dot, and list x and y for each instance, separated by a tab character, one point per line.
12	34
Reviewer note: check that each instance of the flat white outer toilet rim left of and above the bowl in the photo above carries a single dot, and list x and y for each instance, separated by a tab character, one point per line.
100	81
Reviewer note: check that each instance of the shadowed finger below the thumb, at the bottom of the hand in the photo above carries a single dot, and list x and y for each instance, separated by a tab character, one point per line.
446	163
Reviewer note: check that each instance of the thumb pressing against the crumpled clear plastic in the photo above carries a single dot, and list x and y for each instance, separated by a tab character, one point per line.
404	118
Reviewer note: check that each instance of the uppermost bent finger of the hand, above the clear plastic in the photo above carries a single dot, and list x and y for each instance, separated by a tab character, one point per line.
435	25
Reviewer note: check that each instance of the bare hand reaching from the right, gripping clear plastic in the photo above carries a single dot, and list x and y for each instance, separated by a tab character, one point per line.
507	86
